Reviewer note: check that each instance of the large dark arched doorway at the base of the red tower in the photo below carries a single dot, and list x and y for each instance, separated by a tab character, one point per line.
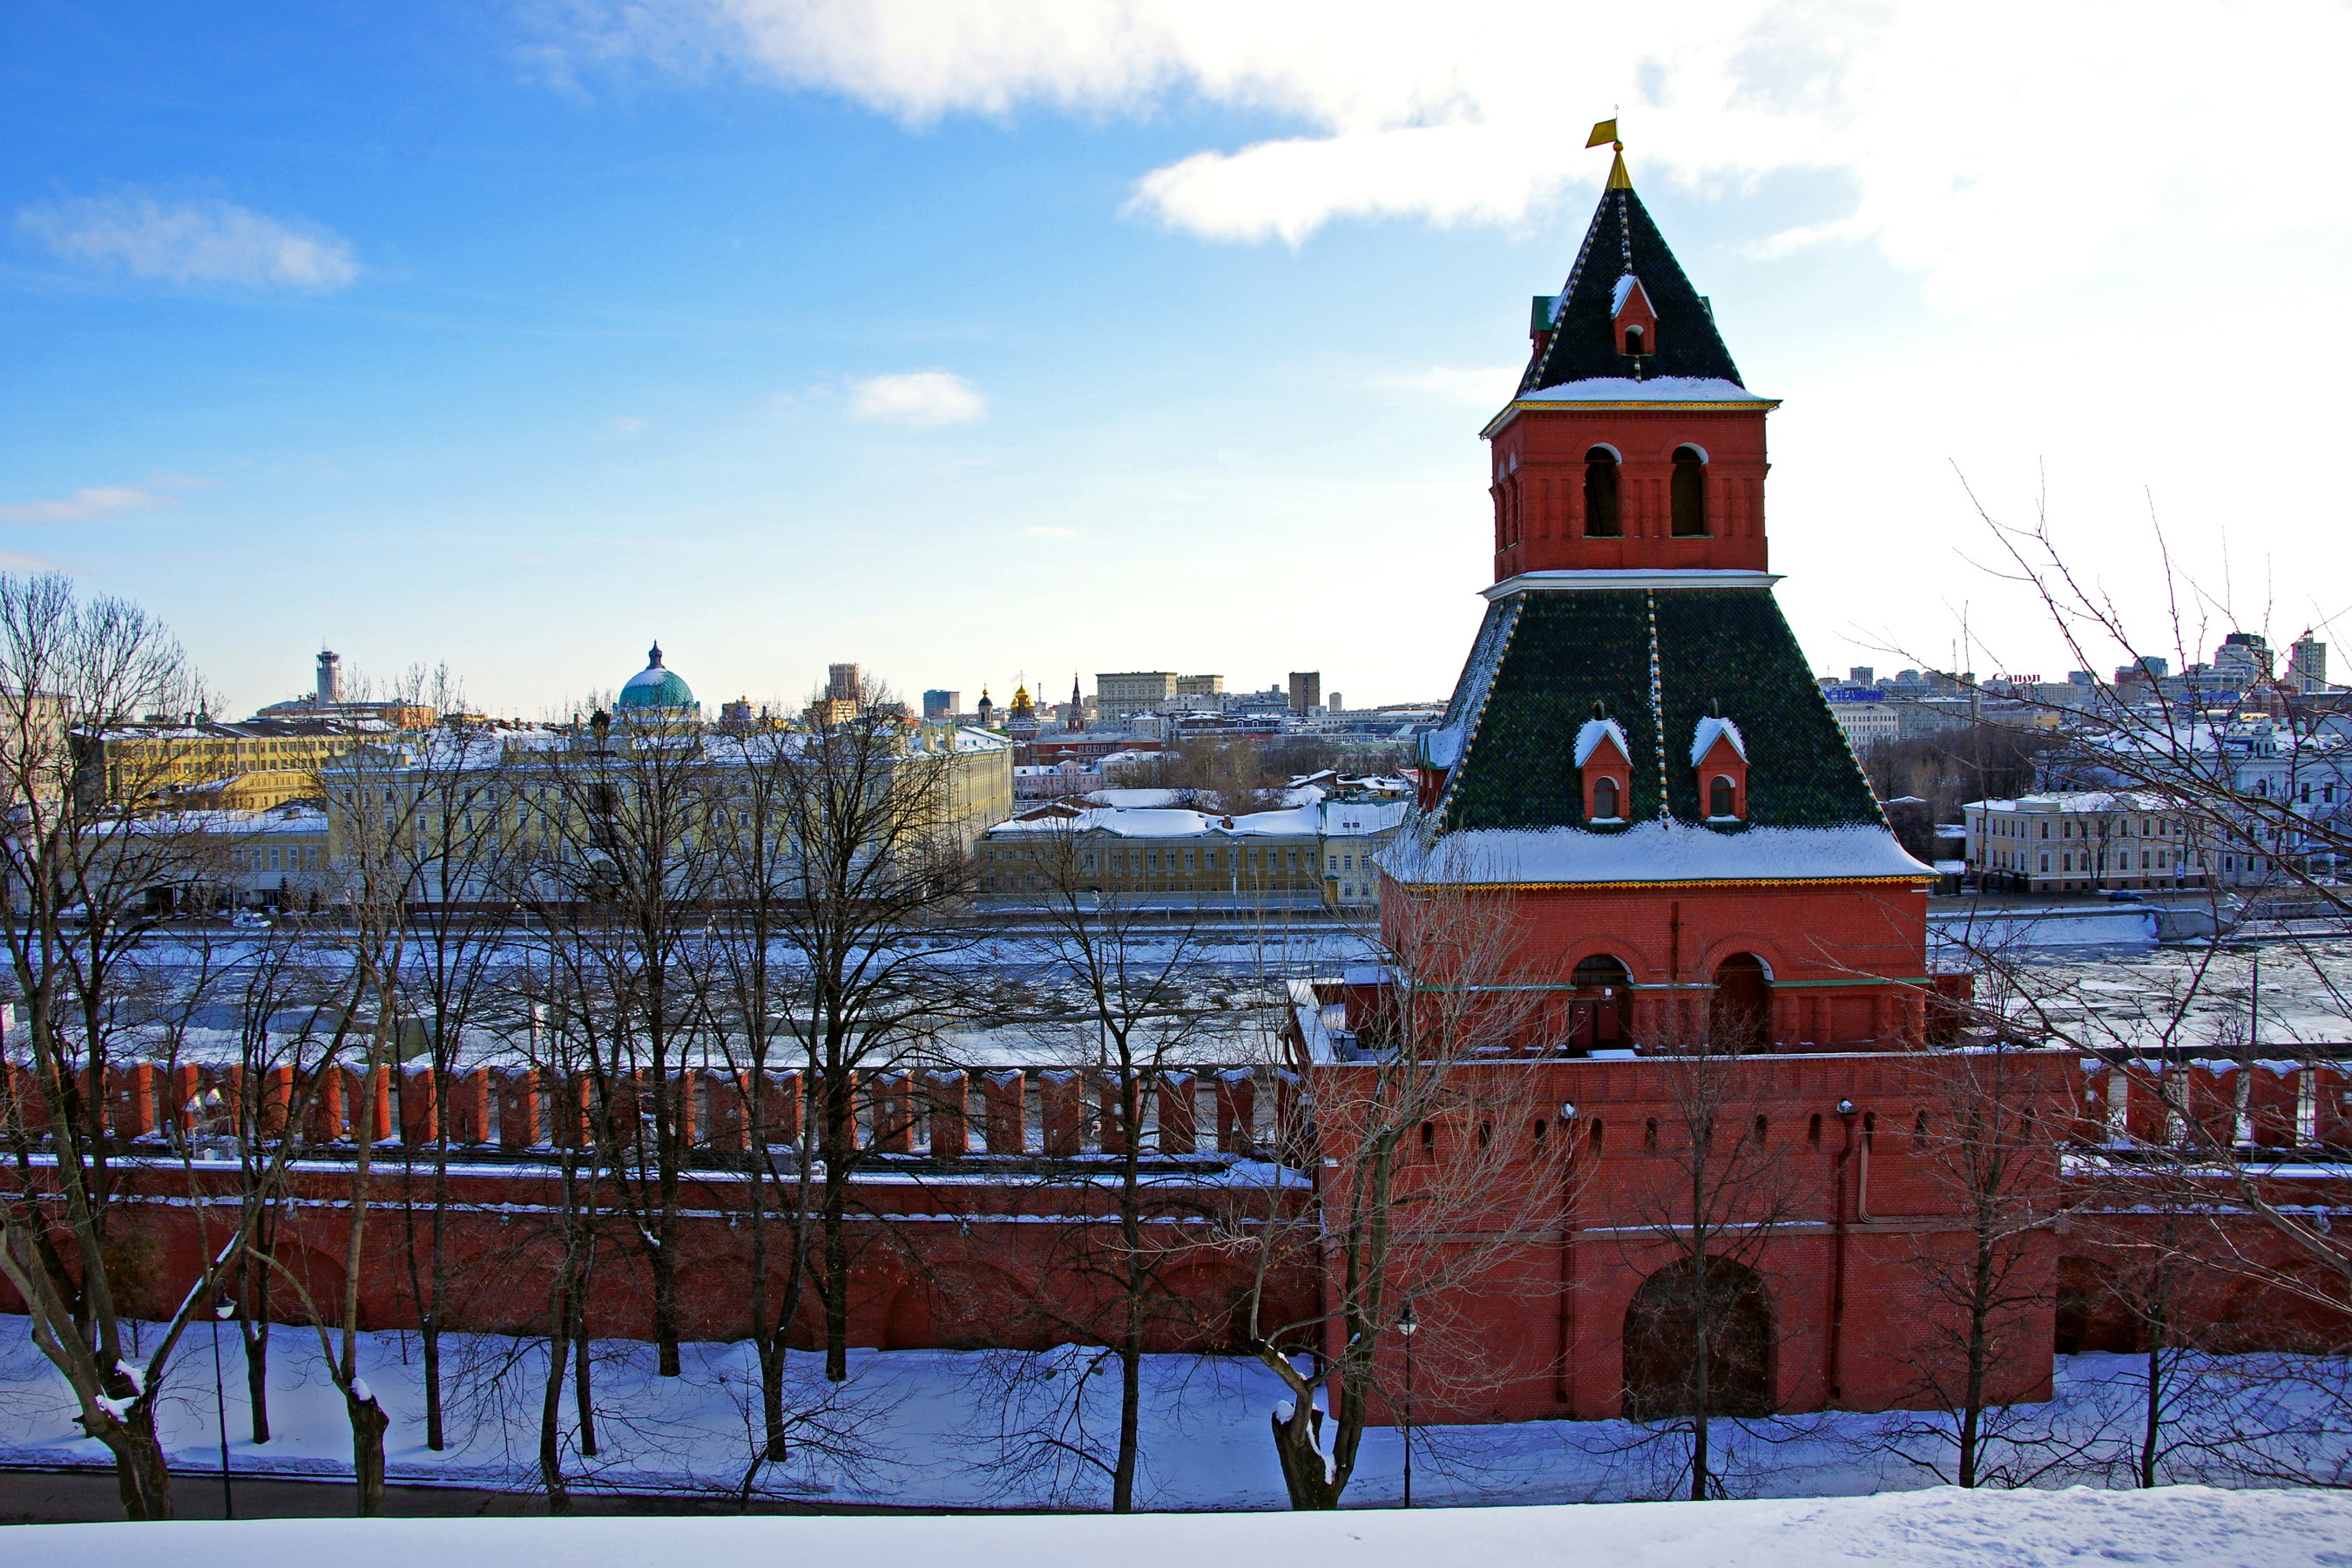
1711	1304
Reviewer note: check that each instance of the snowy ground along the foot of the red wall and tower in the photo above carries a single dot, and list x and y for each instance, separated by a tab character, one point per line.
996	1430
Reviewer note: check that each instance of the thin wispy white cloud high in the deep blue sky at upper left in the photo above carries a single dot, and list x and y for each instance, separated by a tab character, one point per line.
194	243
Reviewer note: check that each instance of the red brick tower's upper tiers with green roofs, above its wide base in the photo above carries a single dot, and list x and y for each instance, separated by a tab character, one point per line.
1636	756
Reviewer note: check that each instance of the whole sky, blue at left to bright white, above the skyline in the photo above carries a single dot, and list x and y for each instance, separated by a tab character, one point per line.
982	342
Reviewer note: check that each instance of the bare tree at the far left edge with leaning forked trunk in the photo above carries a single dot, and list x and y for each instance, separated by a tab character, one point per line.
76	871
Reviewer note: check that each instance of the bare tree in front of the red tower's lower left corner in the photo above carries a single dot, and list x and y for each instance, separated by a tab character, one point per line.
1438	1174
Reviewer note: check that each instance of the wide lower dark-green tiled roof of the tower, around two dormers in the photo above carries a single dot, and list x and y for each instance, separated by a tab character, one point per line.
1720	652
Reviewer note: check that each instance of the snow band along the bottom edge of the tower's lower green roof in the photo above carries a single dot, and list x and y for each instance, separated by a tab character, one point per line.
1652	852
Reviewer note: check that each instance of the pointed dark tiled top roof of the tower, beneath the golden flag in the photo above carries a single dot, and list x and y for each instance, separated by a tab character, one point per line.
1584	342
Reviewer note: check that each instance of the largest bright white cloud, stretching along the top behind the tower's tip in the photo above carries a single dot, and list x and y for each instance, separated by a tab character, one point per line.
1989	149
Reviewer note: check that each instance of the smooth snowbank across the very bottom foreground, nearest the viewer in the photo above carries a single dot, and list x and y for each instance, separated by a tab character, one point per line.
1944	1529
